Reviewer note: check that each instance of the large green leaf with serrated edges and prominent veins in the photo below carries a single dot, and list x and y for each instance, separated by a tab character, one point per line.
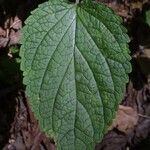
75	62
